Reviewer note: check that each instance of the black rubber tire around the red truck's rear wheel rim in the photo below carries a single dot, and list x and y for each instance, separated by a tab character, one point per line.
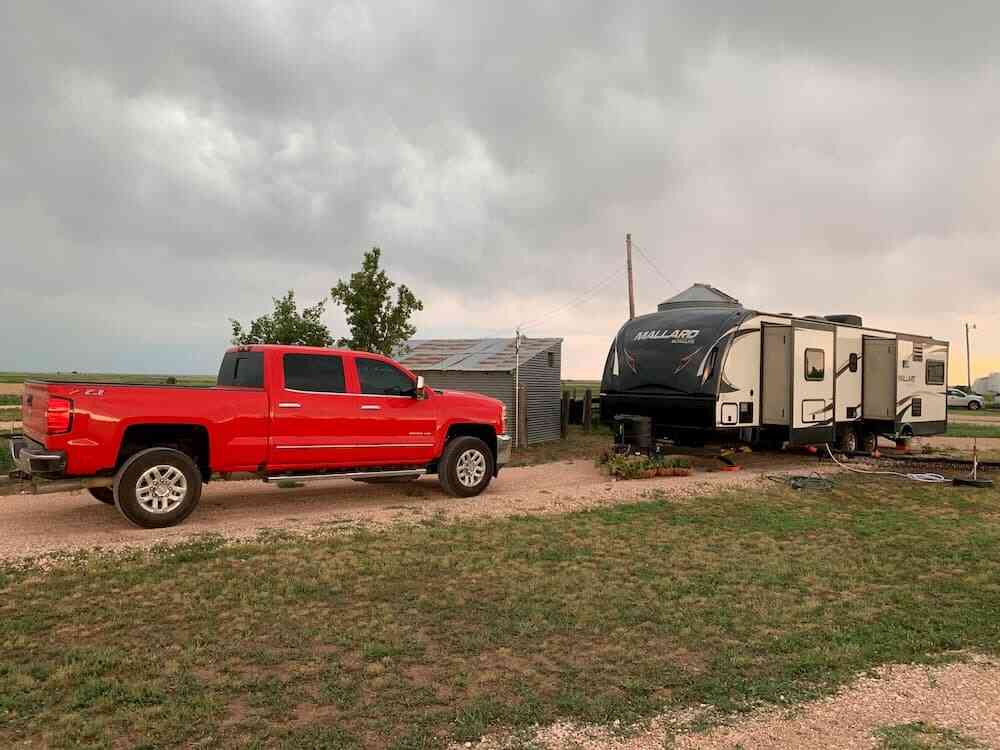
126	490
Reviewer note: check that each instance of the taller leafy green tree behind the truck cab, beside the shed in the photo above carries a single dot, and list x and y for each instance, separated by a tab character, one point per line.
377	323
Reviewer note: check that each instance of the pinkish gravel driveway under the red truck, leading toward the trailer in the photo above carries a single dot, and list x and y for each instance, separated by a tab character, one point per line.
44	524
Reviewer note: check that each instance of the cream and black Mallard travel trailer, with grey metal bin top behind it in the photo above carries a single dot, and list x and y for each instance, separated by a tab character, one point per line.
702	363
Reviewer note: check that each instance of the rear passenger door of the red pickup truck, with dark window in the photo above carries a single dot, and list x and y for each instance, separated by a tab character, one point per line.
315	419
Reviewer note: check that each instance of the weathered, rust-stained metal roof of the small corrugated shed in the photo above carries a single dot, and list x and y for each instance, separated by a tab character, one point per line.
483	355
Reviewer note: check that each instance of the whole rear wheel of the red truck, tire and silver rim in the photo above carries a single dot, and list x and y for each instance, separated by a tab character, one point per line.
157	487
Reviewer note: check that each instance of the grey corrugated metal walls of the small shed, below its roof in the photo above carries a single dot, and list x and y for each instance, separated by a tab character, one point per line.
544	382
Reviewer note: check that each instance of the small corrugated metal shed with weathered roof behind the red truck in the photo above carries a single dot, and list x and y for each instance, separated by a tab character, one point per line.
487	366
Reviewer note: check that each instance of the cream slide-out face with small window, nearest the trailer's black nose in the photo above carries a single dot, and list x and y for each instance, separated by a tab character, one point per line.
812	386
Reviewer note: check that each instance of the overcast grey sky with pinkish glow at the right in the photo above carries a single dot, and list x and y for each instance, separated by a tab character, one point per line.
166	166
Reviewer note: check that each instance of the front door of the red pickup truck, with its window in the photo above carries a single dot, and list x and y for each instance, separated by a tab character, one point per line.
398	427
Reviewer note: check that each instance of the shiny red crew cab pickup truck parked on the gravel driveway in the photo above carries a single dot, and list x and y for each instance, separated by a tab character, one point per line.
278	412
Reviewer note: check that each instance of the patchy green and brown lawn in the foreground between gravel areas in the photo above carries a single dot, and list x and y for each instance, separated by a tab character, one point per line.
421	635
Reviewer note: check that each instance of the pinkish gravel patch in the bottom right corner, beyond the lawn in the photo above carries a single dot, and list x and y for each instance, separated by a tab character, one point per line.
962	697
